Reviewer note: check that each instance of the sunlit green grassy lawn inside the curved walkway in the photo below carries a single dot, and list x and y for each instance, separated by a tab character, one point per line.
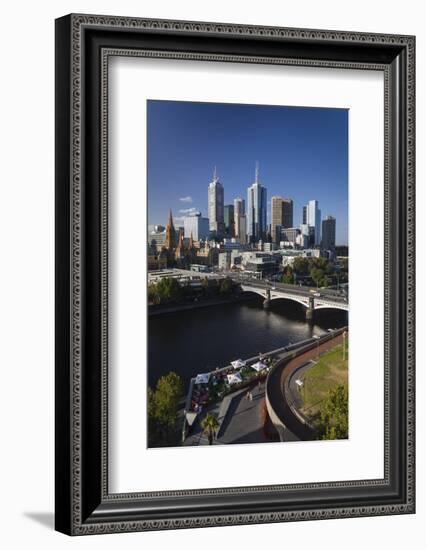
330	371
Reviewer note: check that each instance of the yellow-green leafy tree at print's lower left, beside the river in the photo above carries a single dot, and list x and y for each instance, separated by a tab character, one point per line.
163	407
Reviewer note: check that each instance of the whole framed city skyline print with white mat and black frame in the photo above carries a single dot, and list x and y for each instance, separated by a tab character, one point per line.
234	274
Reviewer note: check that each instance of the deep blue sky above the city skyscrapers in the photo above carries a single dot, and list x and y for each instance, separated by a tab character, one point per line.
302	154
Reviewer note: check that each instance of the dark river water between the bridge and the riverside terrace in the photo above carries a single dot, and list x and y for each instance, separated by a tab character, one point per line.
199	340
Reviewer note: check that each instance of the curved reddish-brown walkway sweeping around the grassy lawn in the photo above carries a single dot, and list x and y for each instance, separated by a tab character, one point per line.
284	414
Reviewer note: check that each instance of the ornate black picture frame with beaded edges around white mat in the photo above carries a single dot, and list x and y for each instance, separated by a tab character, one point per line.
84	44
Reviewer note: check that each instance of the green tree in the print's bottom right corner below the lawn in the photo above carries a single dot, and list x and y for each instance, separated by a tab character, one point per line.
333	416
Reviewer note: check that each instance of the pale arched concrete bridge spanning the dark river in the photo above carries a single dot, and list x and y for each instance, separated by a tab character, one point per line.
311	299
